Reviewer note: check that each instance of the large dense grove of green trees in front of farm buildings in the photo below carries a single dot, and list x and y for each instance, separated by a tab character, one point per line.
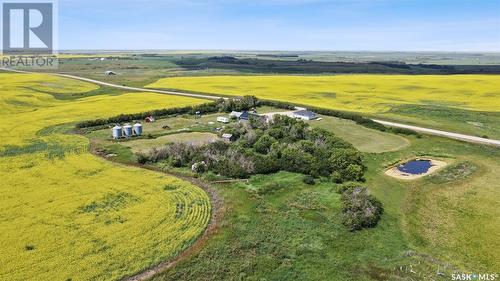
285	144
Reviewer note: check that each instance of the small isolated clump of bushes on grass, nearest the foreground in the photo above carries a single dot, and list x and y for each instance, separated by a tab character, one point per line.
360	209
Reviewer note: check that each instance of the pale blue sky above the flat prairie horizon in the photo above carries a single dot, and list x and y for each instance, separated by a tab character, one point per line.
376	25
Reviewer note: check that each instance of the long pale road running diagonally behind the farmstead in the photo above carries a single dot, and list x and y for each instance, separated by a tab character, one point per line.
452	135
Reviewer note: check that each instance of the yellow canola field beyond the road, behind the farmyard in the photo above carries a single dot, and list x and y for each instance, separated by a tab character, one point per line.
364	92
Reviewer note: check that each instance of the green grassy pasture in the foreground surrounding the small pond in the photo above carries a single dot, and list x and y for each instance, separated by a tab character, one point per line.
277	228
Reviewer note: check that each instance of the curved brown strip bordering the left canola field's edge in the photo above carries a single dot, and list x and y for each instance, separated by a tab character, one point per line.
218	211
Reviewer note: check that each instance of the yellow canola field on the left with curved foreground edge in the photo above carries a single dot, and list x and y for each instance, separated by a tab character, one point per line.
73	215
